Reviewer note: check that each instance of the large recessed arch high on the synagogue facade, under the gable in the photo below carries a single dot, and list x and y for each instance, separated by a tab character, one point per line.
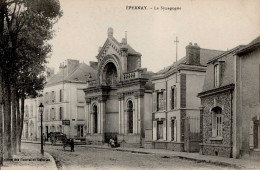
110	74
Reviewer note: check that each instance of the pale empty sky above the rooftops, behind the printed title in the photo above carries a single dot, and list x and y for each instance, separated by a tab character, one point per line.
218	25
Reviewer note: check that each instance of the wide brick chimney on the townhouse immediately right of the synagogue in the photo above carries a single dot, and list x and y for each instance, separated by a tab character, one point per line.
193	54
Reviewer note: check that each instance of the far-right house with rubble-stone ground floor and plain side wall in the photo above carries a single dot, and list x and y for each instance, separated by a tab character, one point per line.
231	103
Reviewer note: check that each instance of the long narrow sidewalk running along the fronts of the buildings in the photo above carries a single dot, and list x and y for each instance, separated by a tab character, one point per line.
228	162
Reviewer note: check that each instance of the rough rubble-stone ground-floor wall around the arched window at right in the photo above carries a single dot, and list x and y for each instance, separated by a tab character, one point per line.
217	146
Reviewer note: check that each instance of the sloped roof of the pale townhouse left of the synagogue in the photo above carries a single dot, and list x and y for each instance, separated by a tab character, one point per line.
79	74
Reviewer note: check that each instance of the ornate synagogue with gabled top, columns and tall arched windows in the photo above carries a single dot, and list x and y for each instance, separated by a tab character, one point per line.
119	99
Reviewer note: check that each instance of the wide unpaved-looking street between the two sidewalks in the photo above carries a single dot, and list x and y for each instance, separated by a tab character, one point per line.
93	158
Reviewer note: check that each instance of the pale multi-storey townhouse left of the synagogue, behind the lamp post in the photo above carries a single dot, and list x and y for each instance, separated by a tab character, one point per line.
64	103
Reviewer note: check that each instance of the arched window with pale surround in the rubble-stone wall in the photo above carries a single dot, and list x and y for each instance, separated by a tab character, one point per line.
217	122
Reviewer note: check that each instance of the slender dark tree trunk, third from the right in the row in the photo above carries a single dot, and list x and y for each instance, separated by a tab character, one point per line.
14	130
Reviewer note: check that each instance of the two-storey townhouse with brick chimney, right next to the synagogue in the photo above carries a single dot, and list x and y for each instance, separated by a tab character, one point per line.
176	107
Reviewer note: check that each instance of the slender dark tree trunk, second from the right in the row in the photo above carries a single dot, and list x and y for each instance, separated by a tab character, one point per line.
18	122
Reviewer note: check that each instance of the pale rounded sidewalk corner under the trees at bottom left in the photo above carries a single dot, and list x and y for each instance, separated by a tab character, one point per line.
30	159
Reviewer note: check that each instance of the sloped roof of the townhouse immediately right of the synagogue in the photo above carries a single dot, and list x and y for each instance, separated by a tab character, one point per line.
205	56
